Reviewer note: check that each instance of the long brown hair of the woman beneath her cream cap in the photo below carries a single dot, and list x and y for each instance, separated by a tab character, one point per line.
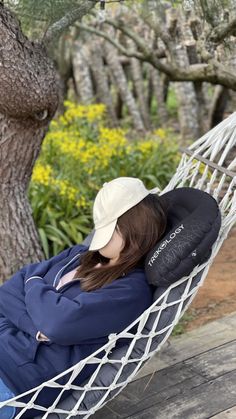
141	227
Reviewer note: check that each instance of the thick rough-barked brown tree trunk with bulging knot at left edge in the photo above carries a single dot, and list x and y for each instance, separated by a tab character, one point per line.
29	97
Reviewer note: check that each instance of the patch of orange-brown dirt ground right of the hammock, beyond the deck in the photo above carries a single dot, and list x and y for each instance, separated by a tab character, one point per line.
217	296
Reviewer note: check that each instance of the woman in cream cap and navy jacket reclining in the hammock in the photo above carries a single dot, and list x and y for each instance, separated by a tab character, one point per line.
56	312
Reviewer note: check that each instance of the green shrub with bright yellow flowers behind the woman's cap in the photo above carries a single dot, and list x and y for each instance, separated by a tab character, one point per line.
79	154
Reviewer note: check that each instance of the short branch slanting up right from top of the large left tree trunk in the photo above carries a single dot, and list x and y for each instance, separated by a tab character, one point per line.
56	29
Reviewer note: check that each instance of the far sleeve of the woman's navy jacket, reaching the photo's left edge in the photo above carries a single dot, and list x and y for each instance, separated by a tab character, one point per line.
12	293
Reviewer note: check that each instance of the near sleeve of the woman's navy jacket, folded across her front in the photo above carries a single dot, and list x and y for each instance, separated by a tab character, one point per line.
91	315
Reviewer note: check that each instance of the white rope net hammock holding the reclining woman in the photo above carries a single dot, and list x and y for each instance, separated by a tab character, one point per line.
208	164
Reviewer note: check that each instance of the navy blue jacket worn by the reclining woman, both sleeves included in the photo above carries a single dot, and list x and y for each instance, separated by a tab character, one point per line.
76	322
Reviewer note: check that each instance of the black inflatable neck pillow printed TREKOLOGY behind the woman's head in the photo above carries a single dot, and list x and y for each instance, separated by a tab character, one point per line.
193	224
